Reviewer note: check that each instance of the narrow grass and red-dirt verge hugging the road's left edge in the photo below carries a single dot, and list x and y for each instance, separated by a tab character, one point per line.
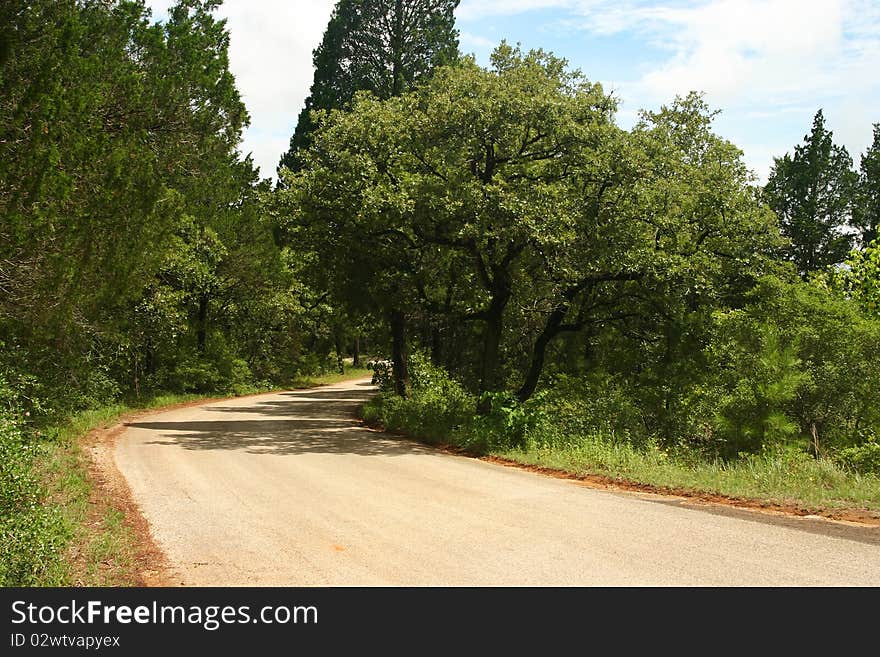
100	546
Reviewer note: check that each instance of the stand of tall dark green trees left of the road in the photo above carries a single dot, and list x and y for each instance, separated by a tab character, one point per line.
118	147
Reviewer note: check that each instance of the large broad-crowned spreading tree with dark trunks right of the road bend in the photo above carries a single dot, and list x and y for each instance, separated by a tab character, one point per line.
507	199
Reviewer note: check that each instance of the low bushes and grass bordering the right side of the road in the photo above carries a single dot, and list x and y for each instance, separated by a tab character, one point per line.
576	438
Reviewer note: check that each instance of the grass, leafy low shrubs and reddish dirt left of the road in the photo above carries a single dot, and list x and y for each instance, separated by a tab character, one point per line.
57	529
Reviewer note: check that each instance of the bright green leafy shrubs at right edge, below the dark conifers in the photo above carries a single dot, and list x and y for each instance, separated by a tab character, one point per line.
797	361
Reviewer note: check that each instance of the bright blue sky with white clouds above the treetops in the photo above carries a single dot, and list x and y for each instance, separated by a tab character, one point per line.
767	65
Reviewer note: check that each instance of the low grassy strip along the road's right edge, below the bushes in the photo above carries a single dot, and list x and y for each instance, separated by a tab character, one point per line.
787	477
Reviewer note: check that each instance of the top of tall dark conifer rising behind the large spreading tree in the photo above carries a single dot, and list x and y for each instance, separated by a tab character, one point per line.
382	46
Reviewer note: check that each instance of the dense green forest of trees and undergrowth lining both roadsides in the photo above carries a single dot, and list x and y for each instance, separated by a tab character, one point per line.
523	270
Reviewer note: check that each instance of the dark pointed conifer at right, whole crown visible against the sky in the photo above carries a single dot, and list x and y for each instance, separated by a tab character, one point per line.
812	193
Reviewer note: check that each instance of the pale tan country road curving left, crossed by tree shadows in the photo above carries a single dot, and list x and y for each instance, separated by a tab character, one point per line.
289	490
